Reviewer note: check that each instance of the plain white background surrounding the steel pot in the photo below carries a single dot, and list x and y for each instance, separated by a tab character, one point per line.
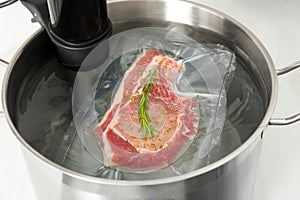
275	22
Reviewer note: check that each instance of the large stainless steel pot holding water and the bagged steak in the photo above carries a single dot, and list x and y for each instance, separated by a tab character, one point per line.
229	178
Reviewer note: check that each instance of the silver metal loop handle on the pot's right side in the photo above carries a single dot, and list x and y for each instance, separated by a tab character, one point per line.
294	118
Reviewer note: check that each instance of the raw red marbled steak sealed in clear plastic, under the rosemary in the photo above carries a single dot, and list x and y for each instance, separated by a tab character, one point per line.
174	117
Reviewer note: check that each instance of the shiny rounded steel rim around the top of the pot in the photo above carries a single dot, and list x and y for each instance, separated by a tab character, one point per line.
264	123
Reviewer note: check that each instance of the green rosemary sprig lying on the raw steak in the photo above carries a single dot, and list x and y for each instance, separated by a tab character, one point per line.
146	125
